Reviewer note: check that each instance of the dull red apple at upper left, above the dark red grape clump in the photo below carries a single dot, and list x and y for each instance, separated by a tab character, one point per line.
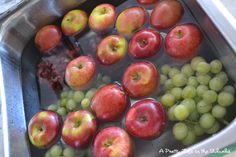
47	38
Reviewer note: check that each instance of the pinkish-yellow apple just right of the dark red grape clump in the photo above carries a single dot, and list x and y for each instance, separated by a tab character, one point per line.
79	72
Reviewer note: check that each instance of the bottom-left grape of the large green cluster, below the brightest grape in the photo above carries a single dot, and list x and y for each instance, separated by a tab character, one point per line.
180	131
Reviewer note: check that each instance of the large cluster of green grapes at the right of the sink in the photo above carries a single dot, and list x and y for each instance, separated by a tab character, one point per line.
196	97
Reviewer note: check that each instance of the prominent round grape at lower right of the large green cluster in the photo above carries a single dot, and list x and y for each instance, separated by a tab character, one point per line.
206	121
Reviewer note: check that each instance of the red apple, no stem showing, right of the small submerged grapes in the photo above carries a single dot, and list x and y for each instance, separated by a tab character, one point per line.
109	103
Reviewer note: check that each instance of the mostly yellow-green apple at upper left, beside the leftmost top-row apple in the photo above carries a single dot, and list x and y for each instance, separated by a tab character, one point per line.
74	22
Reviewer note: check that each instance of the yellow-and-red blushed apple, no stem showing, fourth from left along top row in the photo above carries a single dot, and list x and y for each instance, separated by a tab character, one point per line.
131	20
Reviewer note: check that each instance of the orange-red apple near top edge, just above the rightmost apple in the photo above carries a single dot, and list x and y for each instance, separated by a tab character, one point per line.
166	14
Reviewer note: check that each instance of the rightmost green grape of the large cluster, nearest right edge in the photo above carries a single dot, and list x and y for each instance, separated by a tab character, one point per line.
225	99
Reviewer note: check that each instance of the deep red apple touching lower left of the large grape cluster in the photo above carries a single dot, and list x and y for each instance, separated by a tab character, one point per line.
146	119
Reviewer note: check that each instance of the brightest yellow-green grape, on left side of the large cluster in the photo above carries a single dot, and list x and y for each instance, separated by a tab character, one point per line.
181	112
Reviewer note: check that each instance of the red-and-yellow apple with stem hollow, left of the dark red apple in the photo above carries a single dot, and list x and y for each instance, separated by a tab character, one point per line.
111	49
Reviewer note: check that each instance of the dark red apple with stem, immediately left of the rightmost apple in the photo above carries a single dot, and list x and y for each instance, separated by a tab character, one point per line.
144	44
